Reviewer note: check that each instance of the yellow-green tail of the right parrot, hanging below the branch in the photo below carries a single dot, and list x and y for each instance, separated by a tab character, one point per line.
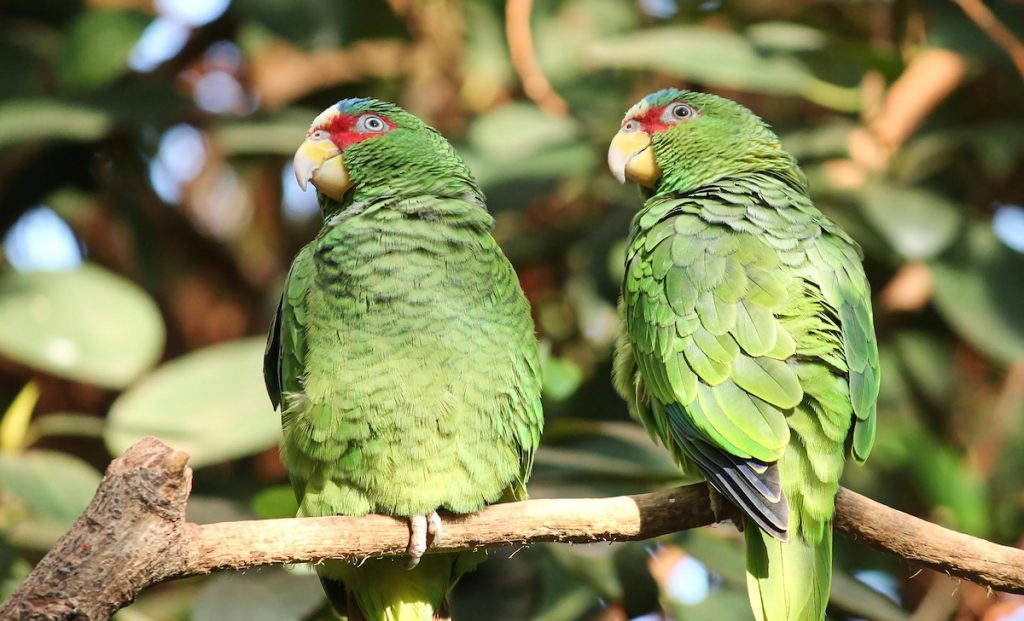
788	581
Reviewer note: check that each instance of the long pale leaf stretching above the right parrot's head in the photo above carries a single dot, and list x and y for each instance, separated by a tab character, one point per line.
720	59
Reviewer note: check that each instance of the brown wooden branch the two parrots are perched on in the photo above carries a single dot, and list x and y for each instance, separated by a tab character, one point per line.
135	534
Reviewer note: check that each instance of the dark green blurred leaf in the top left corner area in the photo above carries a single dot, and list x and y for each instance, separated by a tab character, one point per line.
98	47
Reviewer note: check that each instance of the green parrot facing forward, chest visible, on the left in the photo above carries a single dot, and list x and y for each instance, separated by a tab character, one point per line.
403	356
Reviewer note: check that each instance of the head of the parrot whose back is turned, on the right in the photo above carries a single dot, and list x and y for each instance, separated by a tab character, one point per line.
678	141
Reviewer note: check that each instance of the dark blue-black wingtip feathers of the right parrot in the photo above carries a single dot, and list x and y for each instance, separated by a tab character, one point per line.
752	485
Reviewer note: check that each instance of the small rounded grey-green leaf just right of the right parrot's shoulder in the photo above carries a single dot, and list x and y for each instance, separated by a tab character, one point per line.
918	223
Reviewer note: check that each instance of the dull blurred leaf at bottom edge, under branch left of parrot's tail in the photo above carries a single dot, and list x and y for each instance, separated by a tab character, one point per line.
266	595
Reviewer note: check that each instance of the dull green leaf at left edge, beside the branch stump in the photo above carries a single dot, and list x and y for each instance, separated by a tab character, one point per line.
46	492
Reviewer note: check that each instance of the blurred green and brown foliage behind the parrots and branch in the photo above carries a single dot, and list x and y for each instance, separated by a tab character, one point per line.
149	217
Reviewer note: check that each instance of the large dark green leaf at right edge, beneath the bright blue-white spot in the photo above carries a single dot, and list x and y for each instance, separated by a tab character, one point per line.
978	292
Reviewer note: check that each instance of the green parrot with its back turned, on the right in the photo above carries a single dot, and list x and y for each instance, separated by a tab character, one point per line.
748	346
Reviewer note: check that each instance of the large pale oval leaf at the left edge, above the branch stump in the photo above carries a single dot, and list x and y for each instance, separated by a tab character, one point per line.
89	324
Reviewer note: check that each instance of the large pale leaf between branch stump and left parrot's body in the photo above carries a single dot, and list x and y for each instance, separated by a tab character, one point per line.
211	404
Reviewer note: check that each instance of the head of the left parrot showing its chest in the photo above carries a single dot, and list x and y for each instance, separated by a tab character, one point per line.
361	151
